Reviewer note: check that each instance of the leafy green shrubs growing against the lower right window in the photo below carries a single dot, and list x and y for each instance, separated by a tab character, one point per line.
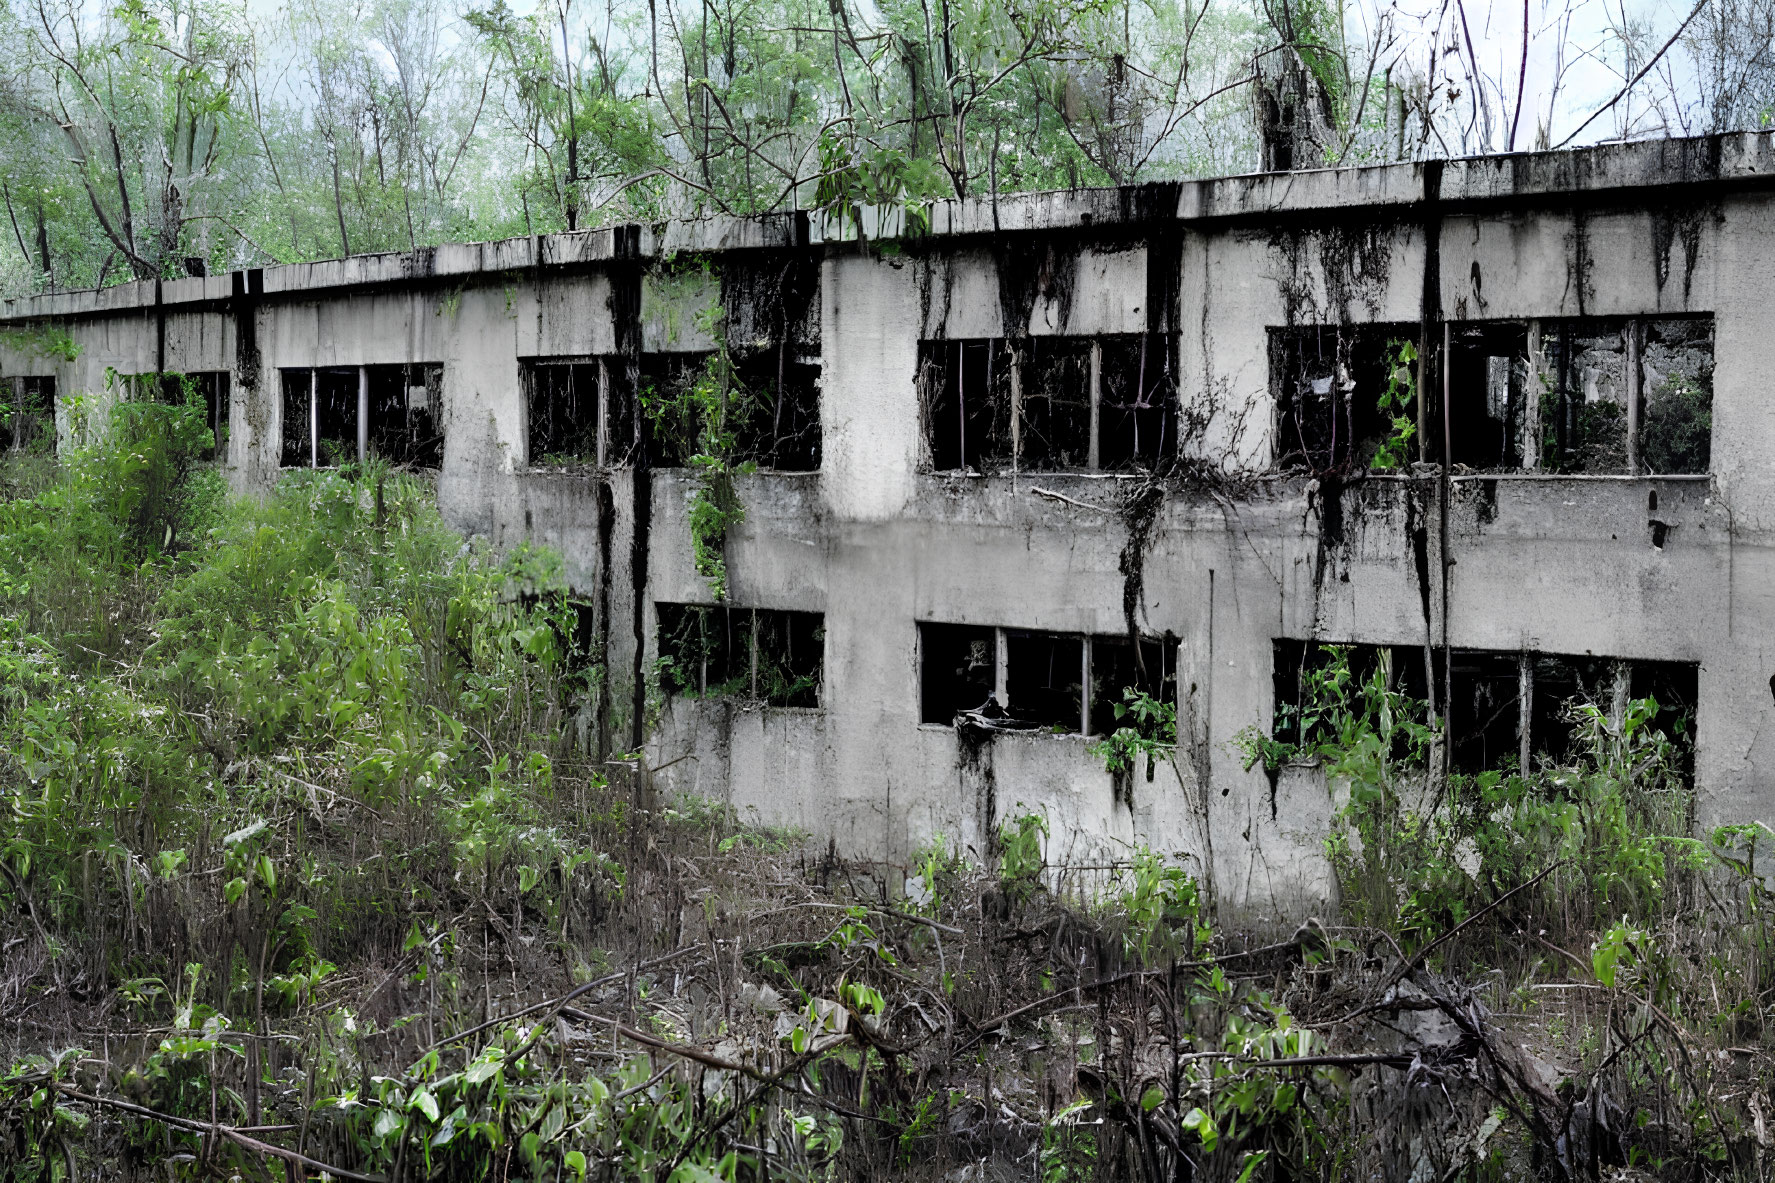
1613	820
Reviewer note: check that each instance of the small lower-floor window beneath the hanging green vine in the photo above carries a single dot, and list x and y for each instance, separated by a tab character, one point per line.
748	653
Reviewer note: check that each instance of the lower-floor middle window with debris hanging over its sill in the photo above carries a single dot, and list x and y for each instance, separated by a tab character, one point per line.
1052	681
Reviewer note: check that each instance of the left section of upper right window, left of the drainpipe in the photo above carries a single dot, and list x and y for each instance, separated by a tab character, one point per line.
1330	385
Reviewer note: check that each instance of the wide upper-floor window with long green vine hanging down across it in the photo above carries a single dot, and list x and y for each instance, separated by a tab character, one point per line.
755	406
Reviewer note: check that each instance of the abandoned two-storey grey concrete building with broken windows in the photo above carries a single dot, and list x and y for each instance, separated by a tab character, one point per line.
1043	449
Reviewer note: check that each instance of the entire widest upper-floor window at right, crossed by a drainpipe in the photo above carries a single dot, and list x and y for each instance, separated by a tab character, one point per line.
1577	395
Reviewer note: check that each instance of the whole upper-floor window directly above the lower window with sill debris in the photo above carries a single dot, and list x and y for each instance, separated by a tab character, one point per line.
1062	404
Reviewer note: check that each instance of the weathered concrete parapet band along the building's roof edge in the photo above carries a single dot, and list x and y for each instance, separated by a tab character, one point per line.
1742	157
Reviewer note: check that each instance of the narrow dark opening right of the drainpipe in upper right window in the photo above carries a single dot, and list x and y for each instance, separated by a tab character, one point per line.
1488	385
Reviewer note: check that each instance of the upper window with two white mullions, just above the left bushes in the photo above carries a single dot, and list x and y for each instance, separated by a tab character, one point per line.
343	415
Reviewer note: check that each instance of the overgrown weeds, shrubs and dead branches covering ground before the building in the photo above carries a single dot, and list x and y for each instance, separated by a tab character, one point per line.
304	871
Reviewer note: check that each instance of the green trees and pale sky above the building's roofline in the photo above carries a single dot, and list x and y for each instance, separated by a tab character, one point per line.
171	138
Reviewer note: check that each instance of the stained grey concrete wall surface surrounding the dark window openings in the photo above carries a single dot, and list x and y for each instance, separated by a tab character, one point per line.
1240	555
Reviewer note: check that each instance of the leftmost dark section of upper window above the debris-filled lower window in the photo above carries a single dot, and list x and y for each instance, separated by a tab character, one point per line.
965	399
